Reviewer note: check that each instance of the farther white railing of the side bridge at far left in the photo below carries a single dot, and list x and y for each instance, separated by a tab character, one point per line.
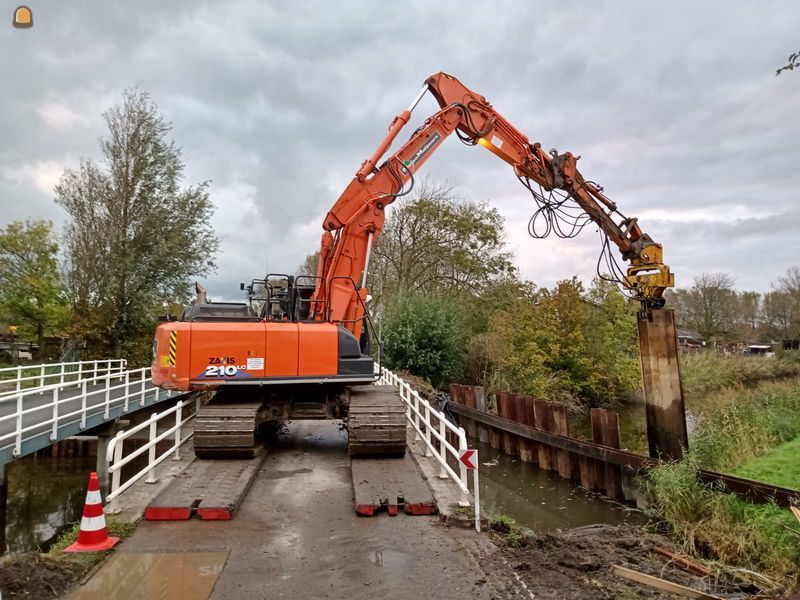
14	379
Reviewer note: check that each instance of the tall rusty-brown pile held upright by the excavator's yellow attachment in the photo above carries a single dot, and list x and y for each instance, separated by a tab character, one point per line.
661	378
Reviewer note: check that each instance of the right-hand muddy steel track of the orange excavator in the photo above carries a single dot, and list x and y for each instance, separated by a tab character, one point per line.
377	422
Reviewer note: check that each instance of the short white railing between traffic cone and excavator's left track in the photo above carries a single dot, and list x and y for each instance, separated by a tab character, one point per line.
114	452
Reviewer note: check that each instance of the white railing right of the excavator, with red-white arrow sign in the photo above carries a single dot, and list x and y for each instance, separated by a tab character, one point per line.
431	424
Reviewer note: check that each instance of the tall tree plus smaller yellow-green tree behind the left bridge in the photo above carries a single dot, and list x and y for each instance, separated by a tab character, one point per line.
134	239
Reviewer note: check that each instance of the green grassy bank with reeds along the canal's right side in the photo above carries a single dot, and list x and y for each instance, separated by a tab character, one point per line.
751	432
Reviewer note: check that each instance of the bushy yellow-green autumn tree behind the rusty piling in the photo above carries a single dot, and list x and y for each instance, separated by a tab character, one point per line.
565	344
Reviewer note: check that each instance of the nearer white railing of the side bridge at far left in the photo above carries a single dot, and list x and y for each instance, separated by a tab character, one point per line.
95	392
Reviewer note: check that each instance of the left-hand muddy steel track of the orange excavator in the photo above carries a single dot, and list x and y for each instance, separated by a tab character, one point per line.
227	429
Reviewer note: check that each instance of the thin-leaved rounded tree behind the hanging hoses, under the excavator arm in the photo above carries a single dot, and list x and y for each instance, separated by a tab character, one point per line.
435	243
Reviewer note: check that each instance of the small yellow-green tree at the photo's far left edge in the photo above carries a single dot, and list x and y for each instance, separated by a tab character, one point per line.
31	292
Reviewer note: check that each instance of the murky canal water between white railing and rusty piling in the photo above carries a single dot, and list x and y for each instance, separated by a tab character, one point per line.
541	500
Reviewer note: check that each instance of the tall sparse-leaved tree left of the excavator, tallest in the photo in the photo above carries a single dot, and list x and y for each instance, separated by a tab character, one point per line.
135	239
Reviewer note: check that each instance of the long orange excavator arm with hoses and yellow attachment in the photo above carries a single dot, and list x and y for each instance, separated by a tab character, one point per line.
353	224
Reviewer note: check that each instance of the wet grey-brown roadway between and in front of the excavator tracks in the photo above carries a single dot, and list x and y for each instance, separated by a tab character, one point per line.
296	535
